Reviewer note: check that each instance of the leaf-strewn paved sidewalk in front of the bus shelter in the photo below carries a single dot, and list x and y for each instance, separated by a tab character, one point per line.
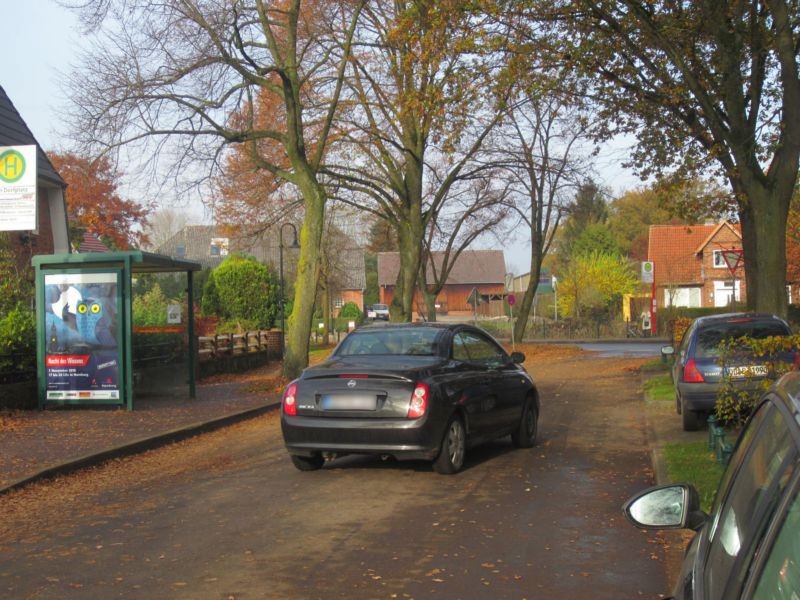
38	444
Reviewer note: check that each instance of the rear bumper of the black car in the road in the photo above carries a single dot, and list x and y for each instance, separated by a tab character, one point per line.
401	438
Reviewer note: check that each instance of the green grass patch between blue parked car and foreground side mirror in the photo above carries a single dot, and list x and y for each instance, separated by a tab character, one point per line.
694	463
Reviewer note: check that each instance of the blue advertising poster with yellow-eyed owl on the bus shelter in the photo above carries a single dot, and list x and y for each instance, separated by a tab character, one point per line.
82	353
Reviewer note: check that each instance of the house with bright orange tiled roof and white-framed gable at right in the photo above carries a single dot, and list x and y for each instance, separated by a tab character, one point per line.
690	264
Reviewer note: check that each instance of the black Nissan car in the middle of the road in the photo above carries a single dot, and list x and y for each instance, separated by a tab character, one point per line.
411	391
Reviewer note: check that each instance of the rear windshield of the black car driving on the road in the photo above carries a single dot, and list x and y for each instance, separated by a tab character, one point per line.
410	341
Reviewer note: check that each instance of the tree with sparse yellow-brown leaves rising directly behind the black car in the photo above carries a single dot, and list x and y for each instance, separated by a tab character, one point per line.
420	93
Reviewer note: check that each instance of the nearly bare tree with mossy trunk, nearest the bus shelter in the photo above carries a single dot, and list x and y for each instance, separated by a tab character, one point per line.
182	81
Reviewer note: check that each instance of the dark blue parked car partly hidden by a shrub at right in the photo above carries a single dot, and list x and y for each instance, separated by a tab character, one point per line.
697	372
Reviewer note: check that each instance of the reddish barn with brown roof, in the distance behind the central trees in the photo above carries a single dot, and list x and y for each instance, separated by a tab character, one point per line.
483	270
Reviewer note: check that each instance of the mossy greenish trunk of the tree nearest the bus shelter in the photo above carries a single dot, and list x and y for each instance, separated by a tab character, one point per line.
298	335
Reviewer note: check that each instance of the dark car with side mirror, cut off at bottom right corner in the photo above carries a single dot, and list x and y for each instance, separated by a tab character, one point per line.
749	546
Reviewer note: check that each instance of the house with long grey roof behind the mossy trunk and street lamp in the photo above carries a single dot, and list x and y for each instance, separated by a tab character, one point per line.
344	275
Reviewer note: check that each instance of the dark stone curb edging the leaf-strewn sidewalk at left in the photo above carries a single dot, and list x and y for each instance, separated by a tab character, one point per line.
139	446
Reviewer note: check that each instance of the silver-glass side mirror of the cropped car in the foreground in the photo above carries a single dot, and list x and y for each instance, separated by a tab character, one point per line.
674	506
